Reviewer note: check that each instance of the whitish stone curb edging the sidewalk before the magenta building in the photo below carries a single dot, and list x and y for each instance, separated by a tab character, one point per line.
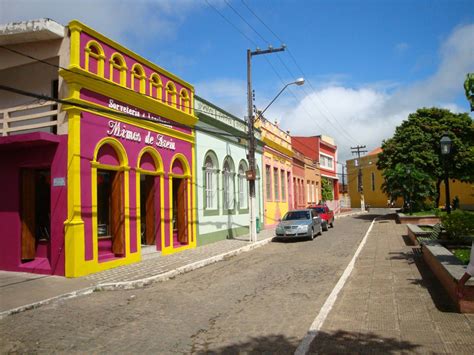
135	284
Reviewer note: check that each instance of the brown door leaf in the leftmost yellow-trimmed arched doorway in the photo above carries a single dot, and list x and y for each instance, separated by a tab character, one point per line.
117	214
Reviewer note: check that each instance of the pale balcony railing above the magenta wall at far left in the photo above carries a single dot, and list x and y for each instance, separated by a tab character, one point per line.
35	117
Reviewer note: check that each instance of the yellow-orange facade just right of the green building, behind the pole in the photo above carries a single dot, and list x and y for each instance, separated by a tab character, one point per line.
277	166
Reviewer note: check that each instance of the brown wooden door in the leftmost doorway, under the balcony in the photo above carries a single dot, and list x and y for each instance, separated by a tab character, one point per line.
28	220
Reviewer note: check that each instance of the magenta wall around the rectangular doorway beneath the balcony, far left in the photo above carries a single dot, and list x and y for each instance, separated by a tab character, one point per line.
34	150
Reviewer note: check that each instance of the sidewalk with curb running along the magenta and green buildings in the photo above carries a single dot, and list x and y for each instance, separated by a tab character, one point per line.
22	291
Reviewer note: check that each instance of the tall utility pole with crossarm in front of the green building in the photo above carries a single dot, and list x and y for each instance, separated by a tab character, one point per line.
251	173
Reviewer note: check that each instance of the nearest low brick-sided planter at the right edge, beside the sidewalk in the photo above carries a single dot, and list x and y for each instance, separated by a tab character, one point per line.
448	269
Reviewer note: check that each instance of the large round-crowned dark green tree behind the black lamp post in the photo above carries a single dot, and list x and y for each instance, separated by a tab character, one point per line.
416	144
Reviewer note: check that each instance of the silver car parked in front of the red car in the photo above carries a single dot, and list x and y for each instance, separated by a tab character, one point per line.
299	224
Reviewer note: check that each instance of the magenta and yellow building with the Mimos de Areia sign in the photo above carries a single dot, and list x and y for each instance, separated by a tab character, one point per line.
113	167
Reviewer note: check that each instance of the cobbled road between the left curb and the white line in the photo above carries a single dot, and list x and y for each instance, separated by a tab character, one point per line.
264	300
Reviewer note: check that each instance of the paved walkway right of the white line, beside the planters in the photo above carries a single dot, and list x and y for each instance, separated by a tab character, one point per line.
392	303
